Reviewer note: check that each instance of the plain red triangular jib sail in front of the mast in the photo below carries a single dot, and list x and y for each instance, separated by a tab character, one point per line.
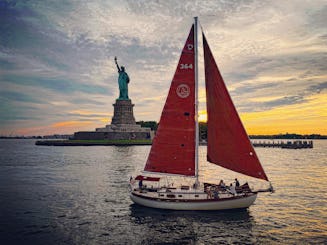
228	143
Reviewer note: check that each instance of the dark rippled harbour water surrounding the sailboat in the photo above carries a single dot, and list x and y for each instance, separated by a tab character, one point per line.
78	195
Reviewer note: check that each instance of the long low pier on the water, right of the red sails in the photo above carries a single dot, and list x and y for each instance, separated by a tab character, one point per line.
297	144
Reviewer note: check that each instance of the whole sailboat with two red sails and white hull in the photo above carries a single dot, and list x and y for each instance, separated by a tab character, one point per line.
174	150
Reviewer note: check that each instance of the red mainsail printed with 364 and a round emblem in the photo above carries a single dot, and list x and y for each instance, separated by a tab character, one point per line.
173	147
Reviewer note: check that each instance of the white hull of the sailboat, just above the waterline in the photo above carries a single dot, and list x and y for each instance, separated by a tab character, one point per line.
219	204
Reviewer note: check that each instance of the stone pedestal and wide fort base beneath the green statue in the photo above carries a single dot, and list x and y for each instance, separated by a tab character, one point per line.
122	127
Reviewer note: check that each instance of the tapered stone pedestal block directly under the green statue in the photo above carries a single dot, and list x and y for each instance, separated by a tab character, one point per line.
123	113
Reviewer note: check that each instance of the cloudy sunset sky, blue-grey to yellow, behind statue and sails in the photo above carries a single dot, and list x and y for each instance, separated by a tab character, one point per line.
58	76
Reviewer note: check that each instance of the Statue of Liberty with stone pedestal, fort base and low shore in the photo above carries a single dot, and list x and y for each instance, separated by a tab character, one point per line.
123	128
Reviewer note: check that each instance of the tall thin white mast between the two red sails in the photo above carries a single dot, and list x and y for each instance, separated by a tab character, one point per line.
196	101
